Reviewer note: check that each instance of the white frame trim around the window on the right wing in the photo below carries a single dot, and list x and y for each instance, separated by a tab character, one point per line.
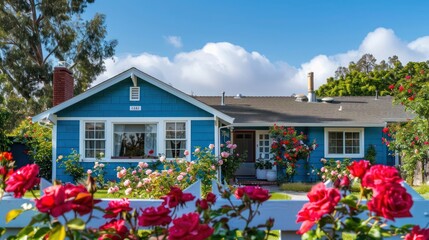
361	145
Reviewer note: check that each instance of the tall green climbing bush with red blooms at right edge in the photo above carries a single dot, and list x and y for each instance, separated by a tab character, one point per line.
411	139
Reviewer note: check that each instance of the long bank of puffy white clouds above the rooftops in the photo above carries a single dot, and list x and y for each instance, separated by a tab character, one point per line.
227	67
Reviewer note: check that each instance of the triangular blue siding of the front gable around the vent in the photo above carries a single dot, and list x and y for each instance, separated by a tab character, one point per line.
115	102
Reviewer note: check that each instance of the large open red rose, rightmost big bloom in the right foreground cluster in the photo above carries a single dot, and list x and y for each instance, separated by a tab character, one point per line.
391	200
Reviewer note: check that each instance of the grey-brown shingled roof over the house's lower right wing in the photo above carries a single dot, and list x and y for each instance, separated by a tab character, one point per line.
265	111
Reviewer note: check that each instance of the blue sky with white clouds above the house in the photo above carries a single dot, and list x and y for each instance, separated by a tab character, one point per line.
205	47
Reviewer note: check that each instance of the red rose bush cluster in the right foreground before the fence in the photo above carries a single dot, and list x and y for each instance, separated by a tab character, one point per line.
339	214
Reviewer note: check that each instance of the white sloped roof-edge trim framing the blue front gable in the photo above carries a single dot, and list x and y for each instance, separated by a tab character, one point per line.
122	76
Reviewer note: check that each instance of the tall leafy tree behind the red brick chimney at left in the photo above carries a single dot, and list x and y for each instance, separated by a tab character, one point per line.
35	35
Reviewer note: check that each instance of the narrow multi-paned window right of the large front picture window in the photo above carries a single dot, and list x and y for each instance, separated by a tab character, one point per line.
175	139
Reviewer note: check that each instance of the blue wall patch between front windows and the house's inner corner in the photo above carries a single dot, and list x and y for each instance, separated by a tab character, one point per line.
202	133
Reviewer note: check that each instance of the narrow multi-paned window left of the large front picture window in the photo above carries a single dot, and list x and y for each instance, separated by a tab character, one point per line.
95	141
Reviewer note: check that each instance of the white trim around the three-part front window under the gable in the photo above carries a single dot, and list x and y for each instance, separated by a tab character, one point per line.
109	122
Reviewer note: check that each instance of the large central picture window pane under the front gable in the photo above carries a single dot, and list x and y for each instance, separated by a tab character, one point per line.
134	140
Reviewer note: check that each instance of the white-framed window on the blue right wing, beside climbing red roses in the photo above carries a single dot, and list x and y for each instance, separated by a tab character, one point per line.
344	142
